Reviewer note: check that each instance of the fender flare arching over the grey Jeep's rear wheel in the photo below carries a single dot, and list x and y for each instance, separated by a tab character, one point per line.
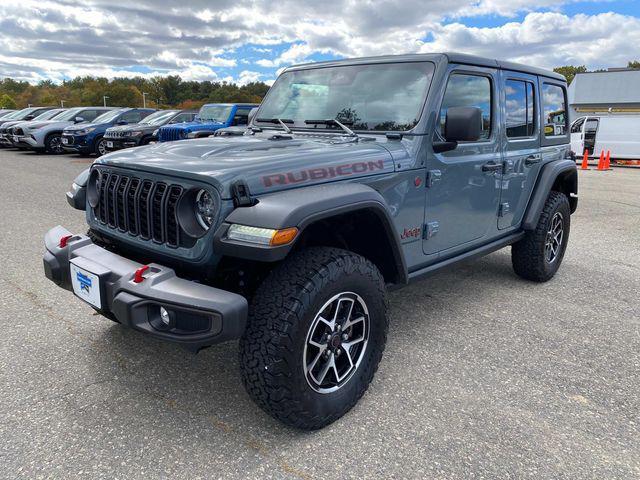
565	169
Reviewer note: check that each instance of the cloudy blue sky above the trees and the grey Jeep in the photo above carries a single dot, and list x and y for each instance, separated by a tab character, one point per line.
242	41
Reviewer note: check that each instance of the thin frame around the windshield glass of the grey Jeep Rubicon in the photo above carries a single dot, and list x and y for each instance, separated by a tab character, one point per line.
296	127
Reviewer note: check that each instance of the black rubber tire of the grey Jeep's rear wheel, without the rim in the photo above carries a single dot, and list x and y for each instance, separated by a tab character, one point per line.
528	255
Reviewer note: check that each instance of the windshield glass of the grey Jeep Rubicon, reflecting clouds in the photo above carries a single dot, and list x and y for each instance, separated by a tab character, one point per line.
365	97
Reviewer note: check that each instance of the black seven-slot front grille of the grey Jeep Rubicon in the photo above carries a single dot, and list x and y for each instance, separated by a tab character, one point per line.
143	208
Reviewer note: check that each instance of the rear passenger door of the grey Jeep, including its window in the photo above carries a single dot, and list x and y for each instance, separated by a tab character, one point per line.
521	144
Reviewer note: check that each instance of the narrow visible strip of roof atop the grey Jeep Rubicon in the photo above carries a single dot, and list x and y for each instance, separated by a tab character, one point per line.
451	57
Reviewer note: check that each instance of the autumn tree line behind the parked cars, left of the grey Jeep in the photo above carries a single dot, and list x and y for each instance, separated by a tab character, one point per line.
162	92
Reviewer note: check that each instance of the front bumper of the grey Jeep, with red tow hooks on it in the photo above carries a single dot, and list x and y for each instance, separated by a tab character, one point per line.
200	315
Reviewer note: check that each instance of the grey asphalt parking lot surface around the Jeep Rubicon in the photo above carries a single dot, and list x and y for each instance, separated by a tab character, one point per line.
485	375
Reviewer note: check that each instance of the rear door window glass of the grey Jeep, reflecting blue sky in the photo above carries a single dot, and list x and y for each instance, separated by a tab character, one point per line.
520	106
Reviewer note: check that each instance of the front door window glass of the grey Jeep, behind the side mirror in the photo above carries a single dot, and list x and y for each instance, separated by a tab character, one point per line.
464	90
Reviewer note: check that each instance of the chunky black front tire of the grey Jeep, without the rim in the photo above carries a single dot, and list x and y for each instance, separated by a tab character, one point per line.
280	315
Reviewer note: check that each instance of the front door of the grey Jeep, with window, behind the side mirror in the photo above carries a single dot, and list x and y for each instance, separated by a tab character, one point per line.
463	185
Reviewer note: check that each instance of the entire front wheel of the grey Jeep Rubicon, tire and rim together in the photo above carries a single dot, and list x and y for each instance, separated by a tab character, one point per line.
316	332
